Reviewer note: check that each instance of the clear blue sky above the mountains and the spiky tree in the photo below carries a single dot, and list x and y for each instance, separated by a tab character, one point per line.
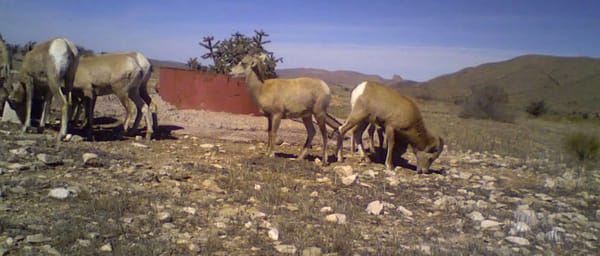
417	40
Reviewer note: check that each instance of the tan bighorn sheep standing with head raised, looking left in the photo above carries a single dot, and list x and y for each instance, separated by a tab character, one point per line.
286	98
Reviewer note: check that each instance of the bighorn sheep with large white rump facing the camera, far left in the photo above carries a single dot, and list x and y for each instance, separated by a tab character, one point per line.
47	70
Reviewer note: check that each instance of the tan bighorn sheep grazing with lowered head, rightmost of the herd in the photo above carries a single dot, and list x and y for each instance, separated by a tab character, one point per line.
399	116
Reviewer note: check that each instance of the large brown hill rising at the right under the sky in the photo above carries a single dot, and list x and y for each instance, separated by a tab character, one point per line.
566	84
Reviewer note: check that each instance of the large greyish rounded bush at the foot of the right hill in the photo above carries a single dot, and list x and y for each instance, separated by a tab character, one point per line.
487	102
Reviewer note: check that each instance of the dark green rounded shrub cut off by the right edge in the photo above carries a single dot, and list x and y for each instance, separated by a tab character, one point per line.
583	146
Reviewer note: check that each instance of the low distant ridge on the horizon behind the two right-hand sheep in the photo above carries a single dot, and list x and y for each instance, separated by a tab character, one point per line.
347	79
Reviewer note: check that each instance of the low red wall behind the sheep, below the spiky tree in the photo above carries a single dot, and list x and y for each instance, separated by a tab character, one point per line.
187	89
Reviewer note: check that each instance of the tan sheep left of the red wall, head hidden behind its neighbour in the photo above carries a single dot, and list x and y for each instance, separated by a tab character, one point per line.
112	73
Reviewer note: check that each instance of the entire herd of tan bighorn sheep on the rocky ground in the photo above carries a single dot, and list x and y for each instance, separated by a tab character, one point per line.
54	69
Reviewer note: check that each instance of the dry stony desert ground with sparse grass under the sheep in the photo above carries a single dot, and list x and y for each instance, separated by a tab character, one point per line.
205	187
